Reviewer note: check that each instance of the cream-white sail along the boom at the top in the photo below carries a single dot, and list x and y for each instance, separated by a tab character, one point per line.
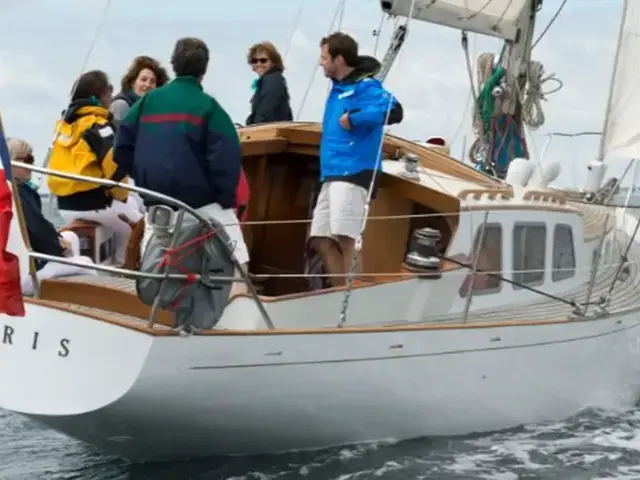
498	18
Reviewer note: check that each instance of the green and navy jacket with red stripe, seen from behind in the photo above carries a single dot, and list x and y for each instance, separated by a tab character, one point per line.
178	141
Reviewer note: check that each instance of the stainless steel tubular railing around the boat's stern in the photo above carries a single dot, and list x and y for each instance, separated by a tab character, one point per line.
165	199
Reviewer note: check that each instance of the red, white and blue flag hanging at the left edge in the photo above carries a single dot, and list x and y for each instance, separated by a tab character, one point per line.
11	301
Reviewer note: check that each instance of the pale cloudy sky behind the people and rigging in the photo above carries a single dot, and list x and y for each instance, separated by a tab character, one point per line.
45	44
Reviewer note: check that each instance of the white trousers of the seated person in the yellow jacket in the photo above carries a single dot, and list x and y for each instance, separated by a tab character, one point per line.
110	220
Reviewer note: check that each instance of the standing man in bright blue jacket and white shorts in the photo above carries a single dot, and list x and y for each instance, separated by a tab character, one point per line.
352	128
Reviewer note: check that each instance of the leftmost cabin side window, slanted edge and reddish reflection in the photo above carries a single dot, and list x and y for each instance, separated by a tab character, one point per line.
489	261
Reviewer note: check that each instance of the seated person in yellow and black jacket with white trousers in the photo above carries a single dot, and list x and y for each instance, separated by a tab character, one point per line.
84	146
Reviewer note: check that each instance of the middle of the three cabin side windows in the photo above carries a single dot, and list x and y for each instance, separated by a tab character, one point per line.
529	251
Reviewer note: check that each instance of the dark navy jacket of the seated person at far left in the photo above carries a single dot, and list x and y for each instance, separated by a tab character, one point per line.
43	236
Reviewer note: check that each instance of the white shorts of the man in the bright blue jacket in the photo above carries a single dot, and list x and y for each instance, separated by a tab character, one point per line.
339	210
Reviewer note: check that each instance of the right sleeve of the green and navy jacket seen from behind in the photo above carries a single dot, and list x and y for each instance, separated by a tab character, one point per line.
222	157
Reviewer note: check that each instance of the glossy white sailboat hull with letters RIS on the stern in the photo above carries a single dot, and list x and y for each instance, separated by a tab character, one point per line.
148	398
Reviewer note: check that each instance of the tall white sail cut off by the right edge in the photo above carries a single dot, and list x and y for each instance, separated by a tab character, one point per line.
621	136
